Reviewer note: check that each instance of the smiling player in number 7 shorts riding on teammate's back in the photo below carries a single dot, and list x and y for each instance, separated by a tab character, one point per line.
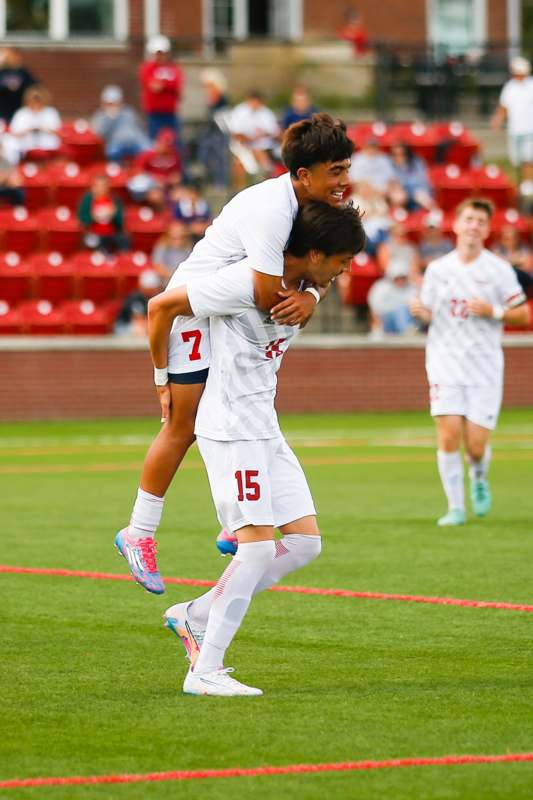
255	223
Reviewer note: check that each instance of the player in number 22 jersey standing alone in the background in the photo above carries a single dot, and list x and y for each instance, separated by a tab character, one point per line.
467	296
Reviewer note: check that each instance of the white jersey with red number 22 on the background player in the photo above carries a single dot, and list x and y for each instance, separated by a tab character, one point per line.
462	349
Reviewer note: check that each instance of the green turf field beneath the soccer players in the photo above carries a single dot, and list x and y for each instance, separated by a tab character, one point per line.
91	682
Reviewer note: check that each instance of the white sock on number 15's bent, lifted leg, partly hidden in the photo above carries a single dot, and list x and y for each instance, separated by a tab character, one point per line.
293	552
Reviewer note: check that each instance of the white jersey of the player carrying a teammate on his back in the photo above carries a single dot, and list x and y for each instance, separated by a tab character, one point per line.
246	353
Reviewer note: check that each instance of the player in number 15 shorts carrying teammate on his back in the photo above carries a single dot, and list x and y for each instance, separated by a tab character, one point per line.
256	481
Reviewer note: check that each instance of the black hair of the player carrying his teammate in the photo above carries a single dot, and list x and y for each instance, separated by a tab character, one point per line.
330	230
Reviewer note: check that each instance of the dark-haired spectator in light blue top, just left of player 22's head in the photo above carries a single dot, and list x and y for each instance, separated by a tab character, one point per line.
410	187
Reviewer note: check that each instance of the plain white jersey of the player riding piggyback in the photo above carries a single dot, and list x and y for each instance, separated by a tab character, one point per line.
256	223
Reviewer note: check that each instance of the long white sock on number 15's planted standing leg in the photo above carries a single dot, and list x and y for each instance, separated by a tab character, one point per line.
231	598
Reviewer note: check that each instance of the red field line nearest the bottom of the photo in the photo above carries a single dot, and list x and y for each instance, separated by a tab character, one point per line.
290	769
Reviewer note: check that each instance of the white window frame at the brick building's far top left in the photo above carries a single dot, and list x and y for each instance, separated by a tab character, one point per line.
58	25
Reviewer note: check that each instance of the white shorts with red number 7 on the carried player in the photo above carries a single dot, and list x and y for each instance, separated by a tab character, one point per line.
189	346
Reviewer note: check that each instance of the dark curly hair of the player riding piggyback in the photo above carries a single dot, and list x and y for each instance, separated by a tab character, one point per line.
318	139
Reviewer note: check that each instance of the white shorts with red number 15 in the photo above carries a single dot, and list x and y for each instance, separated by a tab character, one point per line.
256	482
